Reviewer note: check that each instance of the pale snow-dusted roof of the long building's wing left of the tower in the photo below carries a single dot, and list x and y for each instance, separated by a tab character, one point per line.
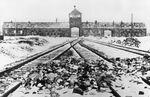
36	25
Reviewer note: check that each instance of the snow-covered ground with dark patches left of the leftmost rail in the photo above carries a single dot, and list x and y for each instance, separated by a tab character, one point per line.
16	48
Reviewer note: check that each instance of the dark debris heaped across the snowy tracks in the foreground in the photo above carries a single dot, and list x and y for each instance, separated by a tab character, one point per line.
127	77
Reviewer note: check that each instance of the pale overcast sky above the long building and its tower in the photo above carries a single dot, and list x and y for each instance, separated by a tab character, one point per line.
49	10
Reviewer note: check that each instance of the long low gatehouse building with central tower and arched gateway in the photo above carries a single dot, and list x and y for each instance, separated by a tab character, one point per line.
74	28
